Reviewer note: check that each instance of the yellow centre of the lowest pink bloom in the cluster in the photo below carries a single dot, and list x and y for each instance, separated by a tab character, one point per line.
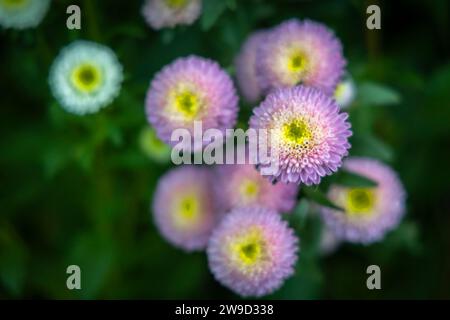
249	248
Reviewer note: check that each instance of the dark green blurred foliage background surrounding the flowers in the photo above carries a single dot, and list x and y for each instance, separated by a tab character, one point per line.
77	190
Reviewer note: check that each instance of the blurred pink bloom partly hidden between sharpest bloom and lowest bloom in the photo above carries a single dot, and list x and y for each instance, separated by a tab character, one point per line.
241	185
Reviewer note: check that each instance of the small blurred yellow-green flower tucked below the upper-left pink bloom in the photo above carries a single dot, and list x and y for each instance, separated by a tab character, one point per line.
154	148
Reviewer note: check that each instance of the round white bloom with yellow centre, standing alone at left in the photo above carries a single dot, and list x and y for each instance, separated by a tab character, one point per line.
85	77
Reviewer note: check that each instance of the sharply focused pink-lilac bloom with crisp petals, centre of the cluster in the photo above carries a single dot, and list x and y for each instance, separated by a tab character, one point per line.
308	135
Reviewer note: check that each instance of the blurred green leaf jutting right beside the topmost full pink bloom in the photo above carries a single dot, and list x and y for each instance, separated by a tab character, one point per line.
370	93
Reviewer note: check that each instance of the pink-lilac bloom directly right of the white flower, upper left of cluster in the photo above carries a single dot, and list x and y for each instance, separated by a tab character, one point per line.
191	89
